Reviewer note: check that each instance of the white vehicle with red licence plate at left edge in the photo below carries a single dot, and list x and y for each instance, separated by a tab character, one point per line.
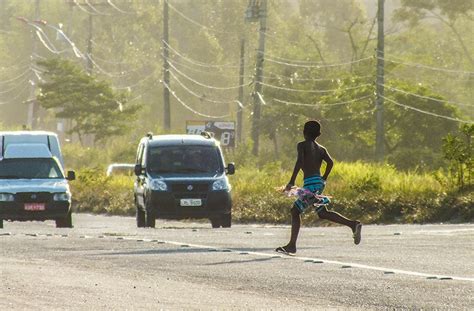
33	185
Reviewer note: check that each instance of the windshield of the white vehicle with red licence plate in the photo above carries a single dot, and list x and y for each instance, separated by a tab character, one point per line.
30	169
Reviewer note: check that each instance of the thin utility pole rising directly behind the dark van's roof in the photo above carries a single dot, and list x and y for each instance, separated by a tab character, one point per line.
166	68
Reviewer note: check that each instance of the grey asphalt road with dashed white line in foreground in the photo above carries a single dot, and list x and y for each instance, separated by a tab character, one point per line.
107	263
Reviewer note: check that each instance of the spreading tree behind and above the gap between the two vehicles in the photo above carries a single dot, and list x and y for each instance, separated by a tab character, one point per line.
92	105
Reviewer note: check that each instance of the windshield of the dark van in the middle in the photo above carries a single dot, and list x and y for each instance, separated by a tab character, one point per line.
185	160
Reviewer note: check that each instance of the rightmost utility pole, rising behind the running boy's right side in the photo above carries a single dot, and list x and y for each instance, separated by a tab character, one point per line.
379	139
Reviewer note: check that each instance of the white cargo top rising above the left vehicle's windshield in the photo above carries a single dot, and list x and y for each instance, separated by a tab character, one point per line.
48	139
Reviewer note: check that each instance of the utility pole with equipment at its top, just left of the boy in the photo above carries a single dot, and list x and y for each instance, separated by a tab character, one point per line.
262	11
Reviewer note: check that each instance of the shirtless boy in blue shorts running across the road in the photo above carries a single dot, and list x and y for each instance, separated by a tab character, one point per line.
310	157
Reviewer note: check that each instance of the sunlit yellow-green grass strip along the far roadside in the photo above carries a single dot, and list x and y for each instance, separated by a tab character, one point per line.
371	193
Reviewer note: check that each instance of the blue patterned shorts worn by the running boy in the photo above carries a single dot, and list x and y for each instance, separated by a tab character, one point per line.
315	185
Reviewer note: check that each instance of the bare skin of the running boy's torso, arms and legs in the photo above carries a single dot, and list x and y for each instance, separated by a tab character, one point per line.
310	158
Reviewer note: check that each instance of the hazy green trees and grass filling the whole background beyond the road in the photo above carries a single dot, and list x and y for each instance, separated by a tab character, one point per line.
319	64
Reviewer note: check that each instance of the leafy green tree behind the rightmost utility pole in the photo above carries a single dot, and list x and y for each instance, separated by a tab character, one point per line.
412	139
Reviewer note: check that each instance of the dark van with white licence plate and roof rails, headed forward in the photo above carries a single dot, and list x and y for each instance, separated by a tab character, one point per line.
182	176
